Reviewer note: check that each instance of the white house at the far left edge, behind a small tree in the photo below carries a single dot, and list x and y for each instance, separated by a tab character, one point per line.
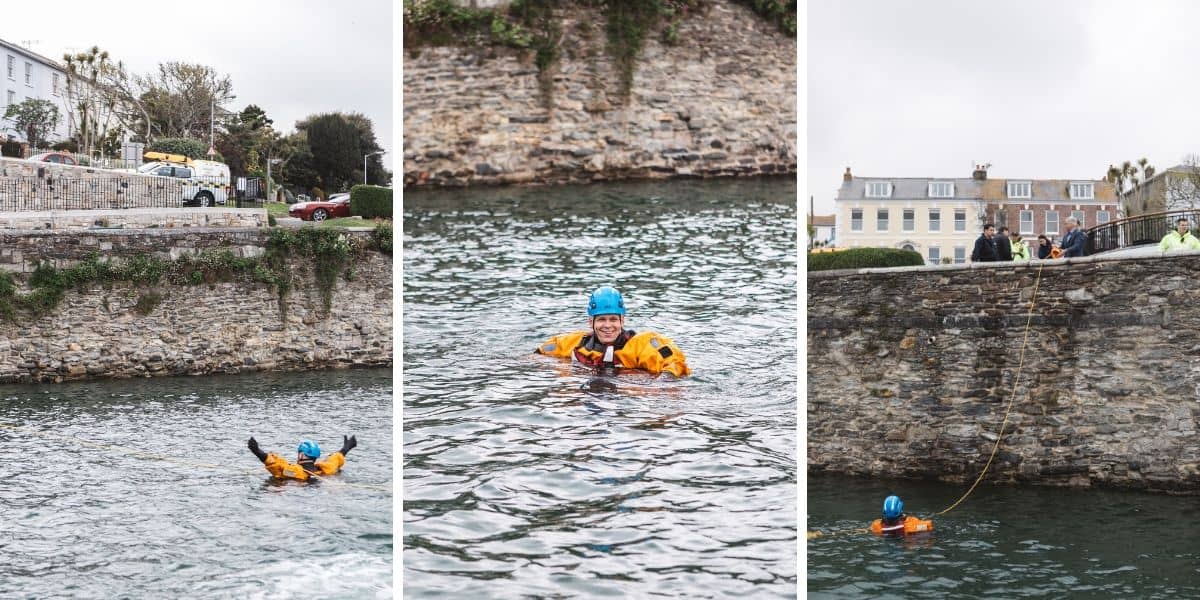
27	75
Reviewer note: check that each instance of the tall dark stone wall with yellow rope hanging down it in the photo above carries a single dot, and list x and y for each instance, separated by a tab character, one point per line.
910	373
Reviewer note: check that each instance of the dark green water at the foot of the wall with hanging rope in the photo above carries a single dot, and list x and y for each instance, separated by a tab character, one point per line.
1004	542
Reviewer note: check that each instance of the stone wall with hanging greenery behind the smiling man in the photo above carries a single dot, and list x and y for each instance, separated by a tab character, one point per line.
722	103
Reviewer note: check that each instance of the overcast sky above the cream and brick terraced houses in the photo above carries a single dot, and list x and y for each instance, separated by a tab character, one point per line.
1040	89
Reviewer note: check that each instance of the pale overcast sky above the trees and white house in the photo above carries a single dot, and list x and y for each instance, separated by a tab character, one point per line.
291	58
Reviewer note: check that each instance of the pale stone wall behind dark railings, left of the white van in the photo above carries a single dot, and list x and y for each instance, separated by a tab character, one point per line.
27	185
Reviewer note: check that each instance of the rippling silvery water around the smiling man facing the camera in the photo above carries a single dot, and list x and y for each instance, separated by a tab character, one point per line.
527	478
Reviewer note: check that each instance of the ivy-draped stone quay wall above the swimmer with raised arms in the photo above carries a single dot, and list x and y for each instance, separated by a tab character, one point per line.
227	328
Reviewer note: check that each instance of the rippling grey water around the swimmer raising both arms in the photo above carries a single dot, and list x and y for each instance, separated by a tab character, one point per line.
81	521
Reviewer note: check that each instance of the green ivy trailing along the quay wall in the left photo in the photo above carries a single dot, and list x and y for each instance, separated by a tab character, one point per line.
328	253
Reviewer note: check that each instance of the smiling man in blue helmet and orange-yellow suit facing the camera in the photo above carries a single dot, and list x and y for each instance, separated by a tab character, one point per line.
611	346
